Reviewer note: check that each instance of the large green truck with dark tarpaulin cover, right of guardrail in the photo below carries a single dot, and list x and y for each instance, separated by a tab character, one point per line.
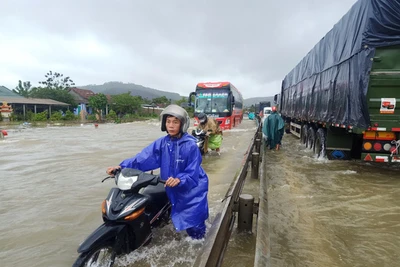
342	99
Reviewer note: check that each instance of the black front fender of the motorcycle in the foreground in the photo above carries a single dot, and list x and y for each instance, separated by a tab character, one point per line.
102	235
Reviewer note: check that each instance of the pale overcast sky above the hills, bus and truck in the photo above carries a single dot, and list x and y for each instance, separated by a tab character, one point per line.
168	45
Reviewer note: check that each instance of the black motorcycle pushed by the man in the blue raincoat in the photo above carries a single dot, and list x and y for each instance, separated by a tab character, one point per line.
130	212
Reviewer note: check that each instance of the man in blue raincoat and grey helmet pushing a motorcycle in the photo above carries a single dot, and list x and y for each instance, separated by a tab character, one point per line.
179	160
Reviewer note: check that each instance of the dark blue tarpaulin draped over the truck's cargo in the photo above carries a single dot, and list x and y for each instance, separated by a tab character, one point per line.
331	82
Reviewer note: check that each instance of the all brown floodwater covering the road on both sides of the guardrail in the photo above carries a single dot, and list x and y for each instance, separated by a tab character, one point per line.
321	213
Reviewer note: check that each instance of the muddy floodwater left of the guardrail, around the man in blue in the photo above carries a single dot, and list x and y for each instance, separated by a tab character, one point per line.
51	191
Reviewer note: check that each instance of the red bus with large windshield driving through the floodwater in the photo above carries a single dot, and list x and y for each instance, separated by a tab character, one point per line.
220	100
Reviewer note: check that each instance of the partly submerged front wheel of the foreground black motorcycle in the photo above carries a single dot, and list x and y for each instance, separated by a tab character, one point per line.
101	256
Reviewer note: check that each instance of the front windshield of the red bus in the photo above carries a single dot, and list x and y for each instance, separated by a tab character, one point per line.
212	101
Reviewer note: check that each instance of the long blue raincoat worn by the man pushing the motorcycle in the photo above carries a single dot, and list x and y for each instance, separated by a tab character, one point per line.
178	158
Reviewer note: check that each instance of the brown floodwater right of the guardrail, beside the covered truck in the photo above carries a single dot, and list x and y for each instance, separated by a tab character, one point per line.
331	213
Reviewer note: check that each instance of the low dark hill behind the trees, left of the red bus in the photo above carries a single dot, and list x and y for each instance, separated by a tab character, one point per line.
116	88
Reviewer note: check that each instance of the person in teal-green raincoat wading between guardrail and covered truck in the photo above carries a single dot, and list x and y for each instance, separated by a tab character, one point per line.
273	129
